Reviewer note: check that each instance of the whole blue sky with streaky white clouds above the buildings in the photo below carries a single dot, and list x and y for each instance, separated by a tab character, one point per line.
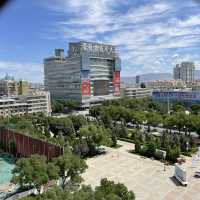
150	35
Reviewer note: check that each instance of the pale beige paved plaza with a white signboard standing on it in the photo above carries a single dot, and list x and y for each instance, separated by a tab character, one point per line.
144	176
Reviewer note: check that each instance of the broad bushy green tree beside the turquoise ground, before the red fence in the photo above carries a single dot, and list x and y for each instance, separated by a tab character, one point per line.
34	172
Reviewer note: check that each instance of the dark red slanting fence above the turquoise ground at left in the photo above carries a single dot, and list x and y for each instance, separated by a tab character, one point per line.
25	145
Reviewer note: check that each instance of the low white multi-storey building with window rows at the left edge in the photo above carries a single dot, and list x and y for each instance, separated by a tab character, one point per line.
21	105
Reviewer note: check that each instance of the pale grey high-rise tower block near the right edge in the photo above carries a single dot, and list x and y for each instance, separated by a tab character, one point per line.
184	71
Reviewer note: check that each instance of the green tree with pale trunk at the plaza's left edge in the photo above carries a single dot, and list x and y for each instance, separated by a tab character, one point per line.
70	168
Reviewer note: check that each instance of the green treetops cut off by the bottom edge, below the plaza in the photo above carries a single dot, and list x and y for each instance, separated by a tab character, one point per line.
108	190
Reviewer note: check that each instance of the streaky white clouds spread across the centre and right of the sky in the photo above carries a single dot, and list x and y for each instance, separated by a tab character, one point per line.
147	35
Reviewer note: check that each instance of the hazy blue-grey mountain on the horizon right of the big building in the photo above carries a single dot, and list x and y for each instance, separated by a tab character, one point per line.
148	77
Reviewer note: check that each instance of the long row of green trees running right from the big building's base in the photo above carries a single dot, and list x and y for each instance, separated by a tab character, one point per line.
112	114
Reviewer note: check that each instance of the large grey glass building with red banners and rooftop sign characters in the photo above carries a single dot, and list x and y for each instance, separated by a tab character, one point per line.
89	74
